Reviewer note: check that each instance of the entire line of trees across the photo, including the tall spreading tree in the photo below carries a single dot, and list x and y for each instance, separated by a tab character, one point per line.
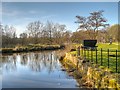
94	26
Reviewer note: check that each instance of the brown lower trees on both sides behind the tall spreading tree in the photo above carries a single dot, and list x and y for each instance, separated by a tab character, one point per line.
103	36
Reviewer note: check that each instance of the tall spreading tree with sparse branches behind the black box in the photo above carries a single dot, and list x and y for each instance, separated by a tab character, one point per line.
94	22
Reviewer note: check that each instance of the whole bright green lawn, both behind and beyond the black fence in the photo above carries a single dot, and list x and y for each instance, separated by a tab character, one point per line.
112	51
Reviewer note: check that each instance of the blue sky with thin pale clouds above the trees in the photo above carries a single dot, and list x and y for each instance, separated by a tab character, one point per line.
19	14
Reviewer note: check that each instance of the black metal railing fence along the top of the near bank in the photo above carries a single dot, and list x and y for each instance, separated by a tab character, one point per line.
108	58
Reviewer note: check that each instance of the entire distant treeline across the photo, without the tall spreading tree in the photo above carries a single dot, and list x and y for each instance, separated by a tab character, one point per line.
53	33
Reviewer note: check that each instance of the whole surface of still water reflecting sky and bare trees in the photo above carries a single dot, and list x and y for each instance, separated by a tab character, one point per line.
34	70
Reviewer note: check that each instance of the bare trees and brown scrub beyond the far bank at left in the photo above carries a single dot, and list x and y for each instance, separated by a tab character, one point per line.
36	33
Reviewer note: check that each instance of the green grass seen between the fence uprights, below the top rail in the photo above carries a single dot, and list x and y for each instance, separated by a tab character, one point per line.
112	60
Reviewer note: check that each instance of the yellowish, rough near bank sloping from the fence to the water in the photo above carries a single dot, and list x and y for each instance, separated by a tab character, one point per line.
90	75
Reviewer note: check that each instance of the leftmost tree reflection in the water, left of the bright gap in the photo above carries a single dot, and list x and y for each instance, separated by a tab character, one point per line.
9	63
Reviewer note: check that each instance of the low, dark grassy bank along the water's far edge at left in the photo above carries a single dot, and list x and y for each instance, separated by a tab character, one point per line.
32	47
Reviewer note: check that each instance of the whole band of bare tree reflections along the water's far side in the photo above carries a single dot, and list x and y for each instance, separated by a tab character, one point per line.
35	61
